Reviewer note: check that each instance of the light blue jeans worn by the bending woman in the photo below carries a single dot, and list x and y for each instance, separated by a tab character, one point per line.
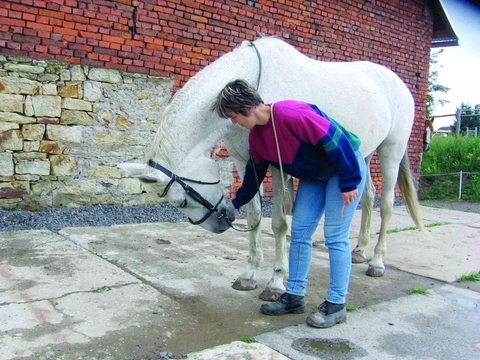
314	198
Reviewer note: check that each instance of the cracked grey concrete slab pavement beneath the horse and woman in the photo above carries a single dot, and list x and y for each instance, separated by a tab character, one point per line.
152	291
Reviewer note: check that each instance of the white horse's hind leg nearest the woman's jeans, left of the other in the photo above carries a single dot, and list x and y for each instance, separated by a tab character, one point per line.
358	253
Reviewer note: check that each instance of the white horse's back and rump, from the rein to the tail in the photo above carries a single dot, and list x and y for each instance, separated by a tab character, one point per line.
366	98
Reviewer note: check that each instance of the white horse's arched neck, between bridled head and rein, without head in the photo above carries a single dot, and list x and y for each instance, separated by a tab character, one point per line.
189	128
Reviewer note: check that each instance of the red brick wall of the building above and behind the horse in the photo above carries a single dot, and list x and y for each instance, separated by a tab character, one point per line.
178	38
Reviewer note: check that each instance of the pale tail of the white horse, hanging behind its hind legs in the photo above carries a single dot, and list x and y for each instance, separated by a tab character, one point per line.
407	187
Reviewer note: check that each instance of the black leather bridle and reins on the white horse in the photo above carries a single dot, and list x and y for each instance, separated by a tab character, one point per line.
196	195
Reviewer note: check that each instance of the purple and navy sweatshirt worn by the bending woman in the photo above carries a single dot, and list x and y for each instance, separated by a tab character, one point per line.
310	144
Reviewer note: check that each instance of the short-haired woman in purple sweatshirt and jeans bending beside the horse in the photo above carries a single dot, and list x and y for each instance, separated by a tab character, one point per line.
326	159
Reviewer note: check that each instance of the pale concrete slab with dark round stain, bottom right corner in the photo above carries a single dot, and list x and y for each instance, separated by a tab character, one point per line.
442	325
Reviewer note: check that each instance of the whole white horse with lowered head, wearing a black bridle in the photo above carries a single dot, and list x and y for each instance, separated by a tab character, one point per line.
367	99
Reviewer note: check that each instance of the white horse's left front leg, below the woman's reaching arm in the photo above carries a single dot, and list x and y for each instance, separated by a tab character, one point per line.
248	280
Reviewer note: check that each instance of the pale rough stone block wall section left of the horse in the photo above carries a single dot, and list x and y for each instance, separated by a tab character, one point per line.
64	128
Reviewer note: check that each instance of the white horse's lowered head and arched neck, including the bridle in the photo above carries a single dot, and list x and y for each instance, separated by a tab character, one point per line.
179	165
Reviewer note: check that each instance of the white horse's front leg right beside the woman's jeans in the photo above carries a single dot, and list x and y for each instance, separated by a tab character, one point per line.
276	287
